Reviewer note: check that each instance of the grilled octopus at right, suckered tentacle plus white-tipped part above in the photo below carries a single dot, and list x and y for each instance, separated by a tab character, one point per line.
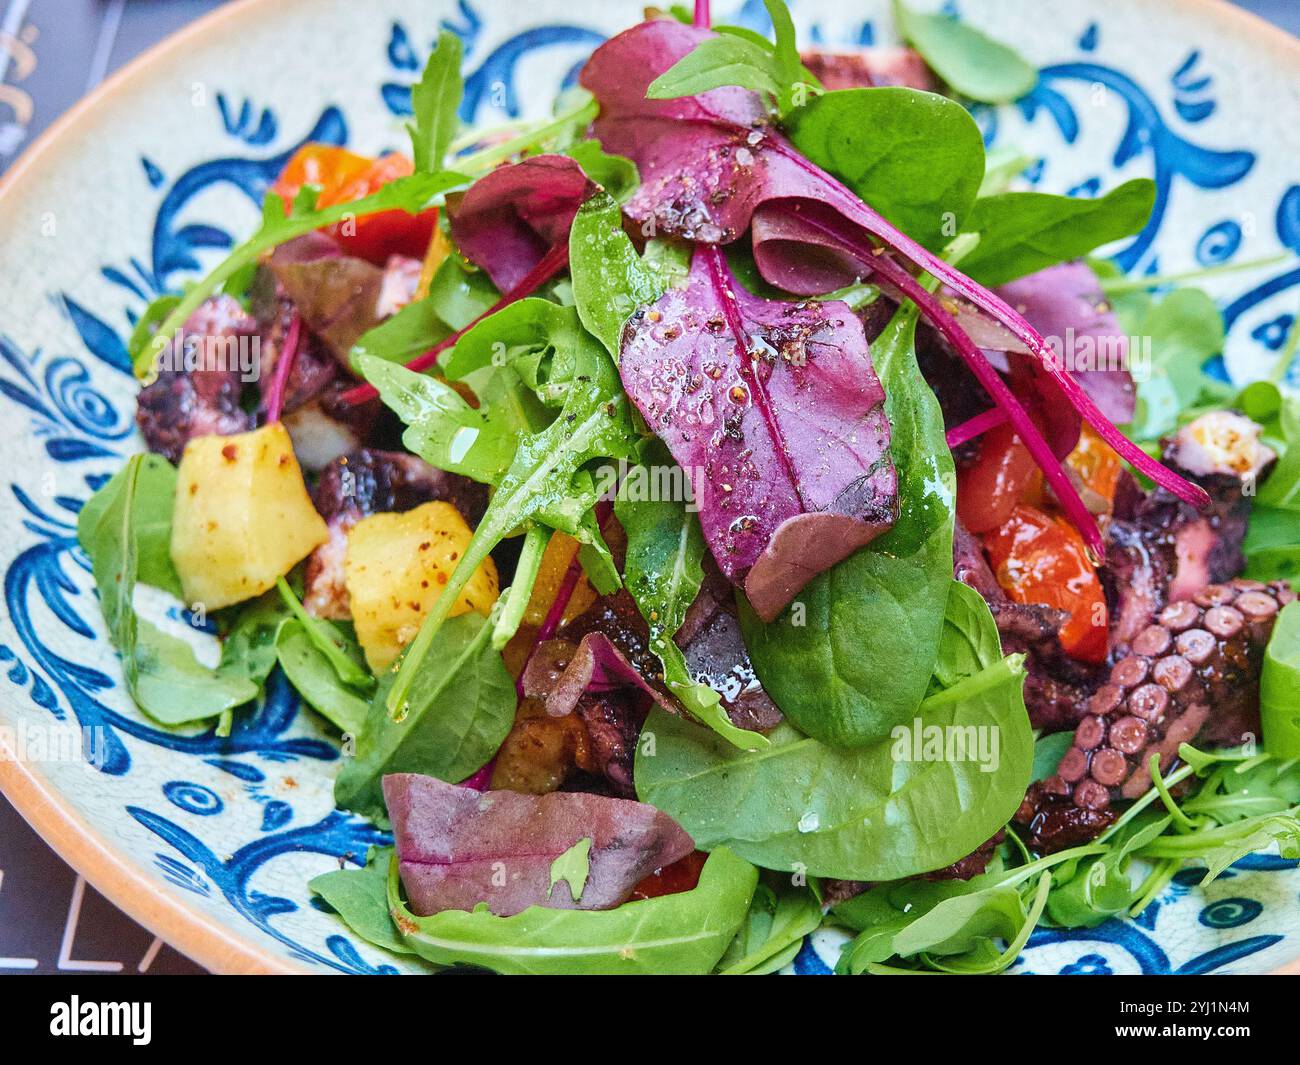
1188	639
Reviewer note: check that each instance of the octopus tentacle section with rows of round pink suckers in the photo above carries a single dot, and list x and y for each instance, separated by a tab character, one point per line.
1190	676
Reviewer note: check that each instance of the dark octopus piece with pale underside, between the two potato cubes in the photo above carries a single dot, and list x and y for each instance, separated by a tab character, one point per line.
371	482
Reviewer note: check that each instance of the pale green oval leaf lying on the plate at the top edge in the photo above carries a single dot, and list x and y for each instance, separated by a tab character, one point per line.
969	62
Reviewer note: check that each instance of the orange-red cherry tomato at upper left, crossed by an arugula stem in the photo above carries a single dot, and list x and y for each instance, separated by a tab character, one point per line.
343	177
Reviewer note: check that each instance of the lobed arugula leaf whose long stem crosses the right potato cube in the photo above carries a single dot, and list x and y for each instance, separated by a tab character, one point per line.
543	483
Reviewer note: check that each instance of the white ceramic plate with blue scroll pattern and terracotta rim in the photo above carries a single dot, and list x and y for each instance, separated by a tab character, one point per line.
211	842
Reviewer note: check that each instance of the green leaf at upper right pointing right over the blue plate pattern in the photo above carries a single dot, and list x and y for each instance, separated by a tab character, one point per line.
1022	233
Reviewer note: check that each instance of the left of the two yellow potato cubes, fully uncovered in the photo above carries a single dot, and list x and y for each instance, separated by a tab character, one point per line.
242	517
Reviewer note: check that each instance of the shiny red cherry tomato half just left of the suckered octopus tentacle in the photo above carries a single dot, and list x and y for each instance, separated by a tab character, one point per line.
1043	560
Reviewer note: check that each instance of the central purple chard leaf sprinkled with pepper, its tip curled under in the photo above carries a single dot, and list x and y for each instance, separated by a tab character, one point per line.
777	414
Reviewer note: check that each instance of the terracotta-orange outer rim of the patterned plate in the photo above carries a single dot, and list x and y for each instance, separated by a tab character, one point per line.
219	947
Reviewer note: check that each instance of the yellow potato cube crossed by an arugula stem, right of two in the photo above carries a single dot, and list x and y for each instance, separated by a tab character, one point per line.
396	569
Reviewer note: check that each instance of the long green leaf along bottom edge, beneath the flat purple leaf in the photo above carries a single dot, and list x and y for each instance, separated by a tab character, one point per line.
671	934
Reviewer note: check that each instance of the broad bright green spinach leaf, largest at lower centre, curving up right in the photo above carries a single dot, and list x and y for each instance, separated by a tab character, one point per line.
873	813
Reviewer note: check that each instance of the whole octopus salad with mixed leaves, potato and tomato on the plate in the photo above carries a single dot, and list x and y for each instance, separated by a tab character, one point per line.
703	519
